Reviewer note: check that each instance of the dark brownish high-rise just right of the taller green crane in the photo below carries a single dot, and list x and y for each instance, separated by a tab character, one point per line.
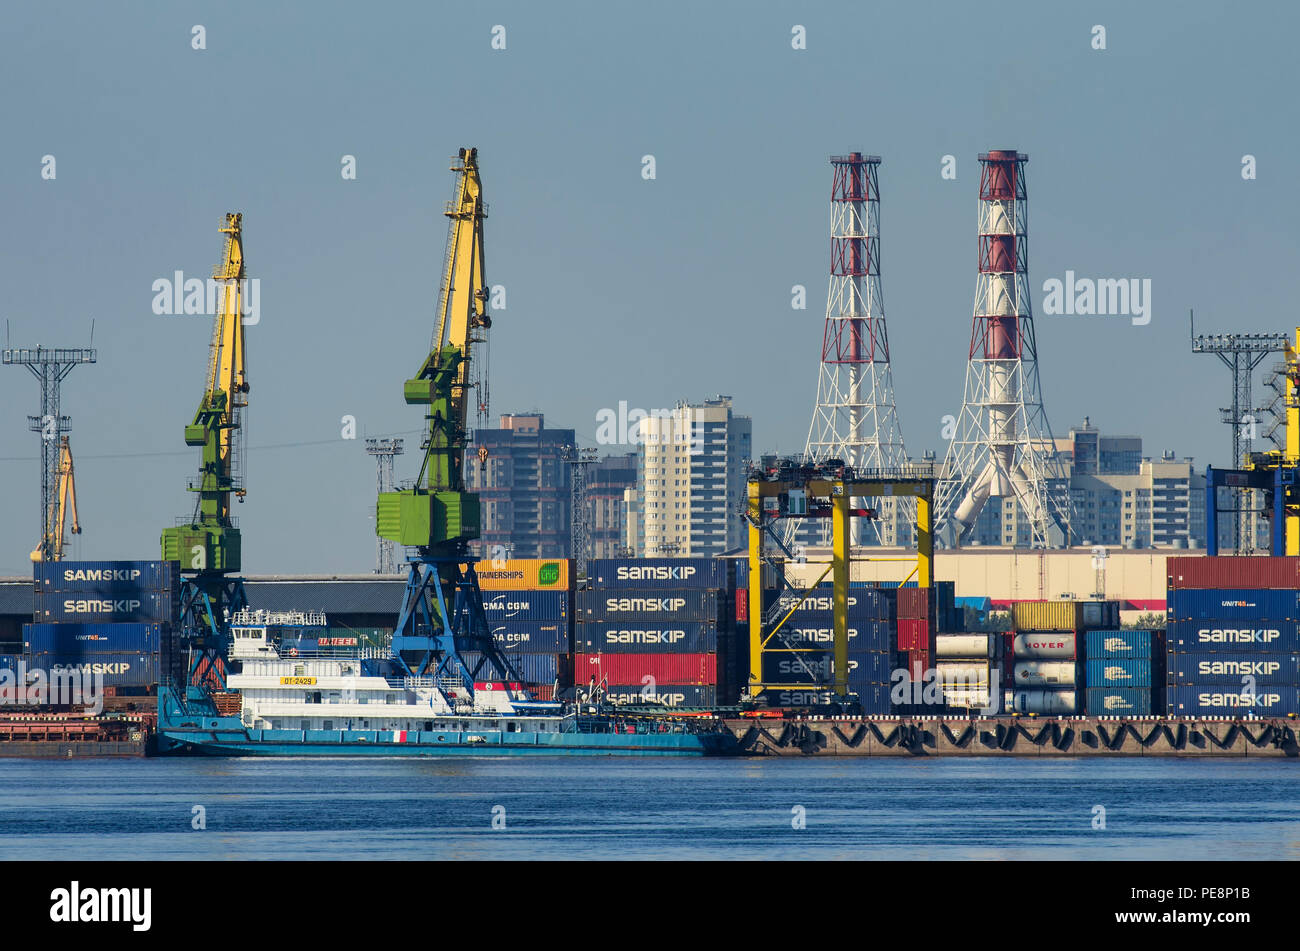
523	480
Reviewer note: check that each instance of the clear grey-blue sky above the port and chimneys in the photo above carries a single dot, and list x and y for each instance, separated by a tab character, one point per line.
618	288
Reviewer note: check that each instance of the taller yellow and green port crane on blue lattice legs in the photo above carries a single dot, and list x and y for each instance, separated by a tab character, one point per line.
443	611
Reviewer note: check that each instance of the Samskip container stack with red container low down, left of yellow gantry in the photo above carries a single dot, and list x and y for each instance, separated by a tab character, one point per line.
649	631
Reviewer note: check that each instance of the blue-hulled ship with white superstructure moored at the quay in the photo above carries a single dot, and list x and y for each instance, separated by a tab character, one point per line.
284	701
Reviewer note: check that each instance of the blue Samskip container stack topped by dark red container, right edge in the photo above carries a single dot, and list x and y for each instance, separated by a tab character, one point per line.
1232	637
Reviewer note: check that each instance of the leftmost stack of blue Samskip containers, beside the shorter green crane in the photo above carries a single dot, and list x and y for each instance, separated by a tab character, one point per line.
107	618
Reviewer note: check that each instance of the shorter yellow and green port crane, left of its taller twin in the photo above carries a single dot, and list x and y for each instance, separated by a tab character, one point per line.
206	544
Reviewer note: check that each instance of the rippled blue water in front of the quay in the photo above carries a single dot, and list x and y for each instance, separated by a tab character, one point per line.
575	809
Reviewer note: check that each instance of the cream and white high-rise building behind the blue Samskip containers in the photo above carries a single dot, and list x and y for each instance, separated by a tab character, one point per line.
692	468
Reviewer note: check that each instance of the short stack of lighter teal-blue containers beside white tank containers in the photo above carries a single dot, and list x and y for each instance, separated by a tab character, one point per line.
1124	672
